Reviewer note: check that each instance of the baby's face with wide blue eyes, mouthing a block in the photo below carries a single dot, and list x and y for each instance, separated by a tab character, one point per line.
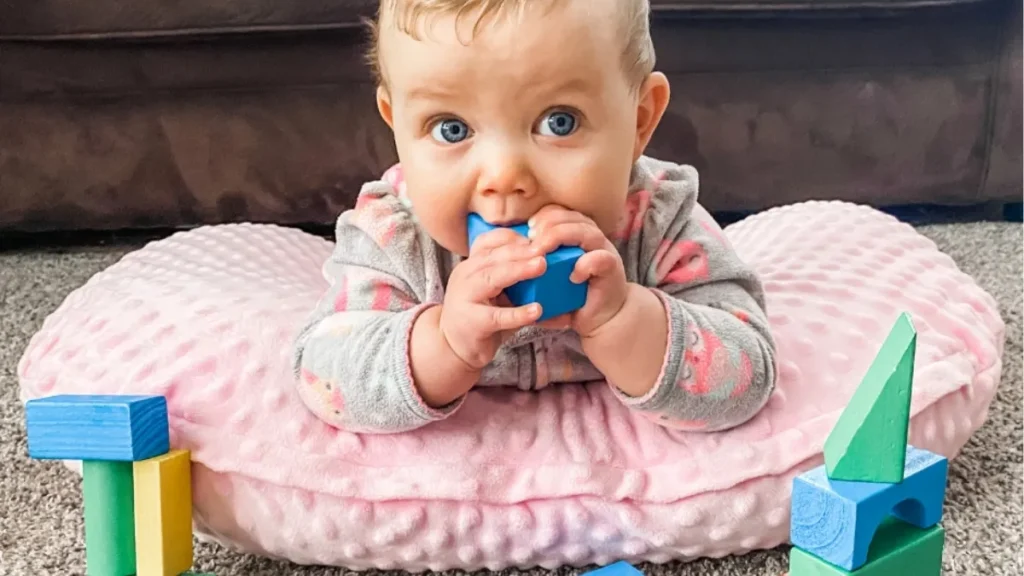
529	113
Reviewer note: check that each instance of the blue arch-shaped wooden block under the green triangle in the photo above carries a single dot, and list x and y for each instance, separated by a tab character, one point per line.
837	520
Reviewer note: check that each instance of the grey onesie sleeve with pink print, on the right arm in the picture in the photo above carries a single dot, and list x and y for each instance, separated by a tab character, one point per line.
720	365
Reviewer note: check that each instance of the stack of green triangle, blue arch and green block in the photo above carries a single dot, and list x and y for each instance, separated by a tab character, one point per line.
874	509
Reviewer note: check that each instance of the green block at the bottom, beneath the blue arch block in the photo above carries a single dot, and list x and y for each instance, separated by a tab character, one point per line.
899	550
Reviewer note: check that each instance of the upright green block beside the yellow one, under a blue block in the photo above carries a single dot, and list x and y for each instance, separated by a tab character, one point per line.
110	518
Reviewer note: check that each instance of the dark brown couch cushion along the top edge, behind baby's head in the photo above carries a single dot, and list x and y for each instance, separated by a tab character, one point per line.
112	19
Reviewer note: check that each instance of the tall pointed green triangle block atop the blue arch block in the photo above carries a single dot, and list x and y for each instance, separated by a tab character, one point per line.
869	442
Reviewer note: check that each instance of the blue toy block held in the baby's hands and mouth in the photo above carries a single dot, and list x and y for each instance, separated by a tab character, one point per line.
554	292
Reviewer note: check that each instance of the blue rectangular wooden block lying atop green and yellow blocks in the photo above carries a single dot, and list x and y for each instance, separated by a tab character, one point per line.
98	428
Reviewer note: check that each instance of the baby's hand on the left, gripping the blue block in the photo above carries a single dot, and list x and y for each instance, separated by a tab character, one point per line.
477	317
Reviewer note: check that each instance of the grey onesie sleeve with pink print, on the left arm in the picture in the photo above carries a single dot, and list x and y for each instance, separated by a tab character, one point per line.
352	359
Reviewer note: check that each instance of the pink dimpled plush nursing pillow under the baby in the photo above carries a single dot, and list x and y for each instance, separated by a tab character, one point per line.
567	476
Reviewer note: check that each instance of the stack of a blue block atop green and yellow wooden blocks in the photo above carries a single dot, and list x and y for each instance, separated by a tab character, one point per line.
137	491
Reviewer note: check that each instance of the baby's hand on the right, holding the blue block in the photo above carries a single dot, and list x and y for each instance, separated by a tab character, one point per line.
602	266
